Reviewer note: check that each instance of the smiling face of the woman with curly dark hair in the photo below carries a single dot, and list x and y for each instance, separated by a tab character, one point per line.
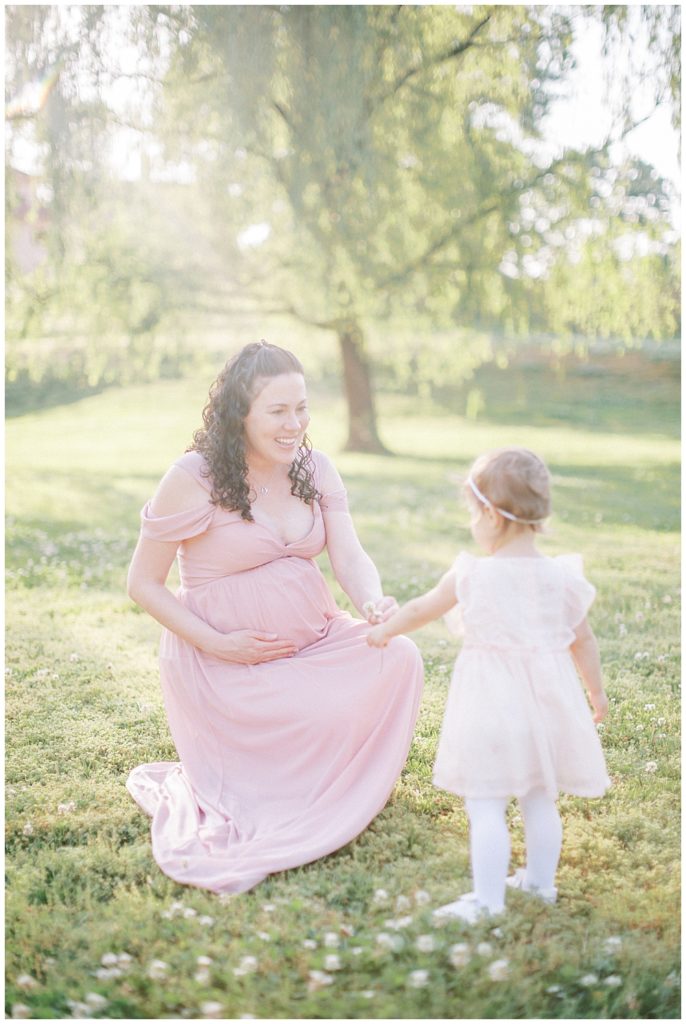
278	419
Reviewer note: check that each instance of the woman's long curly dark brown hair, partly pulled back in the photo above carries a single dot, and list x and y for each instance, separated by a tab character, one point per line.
222	440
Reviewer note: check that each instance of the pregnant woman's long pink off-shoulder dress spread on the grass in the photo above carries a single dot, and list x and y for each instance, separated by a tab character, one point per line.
284	762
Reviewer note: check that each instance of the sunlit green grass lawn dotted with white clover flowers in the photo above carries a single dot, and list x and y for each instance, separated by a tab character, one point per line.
83	708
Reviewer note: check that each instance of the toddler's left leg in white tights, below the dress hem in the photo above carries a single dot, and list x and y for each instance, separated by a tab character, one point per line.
490	845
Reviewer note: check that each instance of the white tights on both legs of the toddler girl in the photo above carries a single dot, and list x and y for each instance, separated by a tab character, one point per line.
490	844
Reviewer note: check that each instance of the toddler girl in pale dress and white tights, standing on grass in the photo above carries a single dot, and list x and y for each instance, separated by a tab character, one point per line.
517	722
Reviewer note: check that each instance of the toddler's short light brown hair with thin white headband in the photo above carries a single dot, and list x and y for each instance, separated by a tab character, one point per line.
514	481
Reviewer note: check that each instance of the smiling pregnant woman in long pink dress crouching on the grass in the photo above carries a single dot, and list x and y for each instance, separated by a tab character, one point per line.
291	732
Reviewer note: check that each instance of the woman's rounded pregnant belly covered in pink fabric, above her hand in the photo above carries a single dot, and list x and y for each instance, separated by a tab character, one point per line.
288	596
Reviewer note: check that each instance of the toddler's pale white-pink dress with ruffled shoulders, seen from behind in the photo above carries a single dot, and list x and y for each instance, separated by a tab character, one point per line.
518	718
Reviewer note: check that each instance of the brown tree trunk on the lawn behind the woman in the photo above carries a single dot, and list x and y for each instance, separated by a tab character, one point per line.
363	436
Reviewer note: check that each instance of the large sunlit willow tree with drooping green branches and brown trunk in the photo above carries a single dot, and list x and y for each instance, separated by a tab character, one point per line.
345	166
